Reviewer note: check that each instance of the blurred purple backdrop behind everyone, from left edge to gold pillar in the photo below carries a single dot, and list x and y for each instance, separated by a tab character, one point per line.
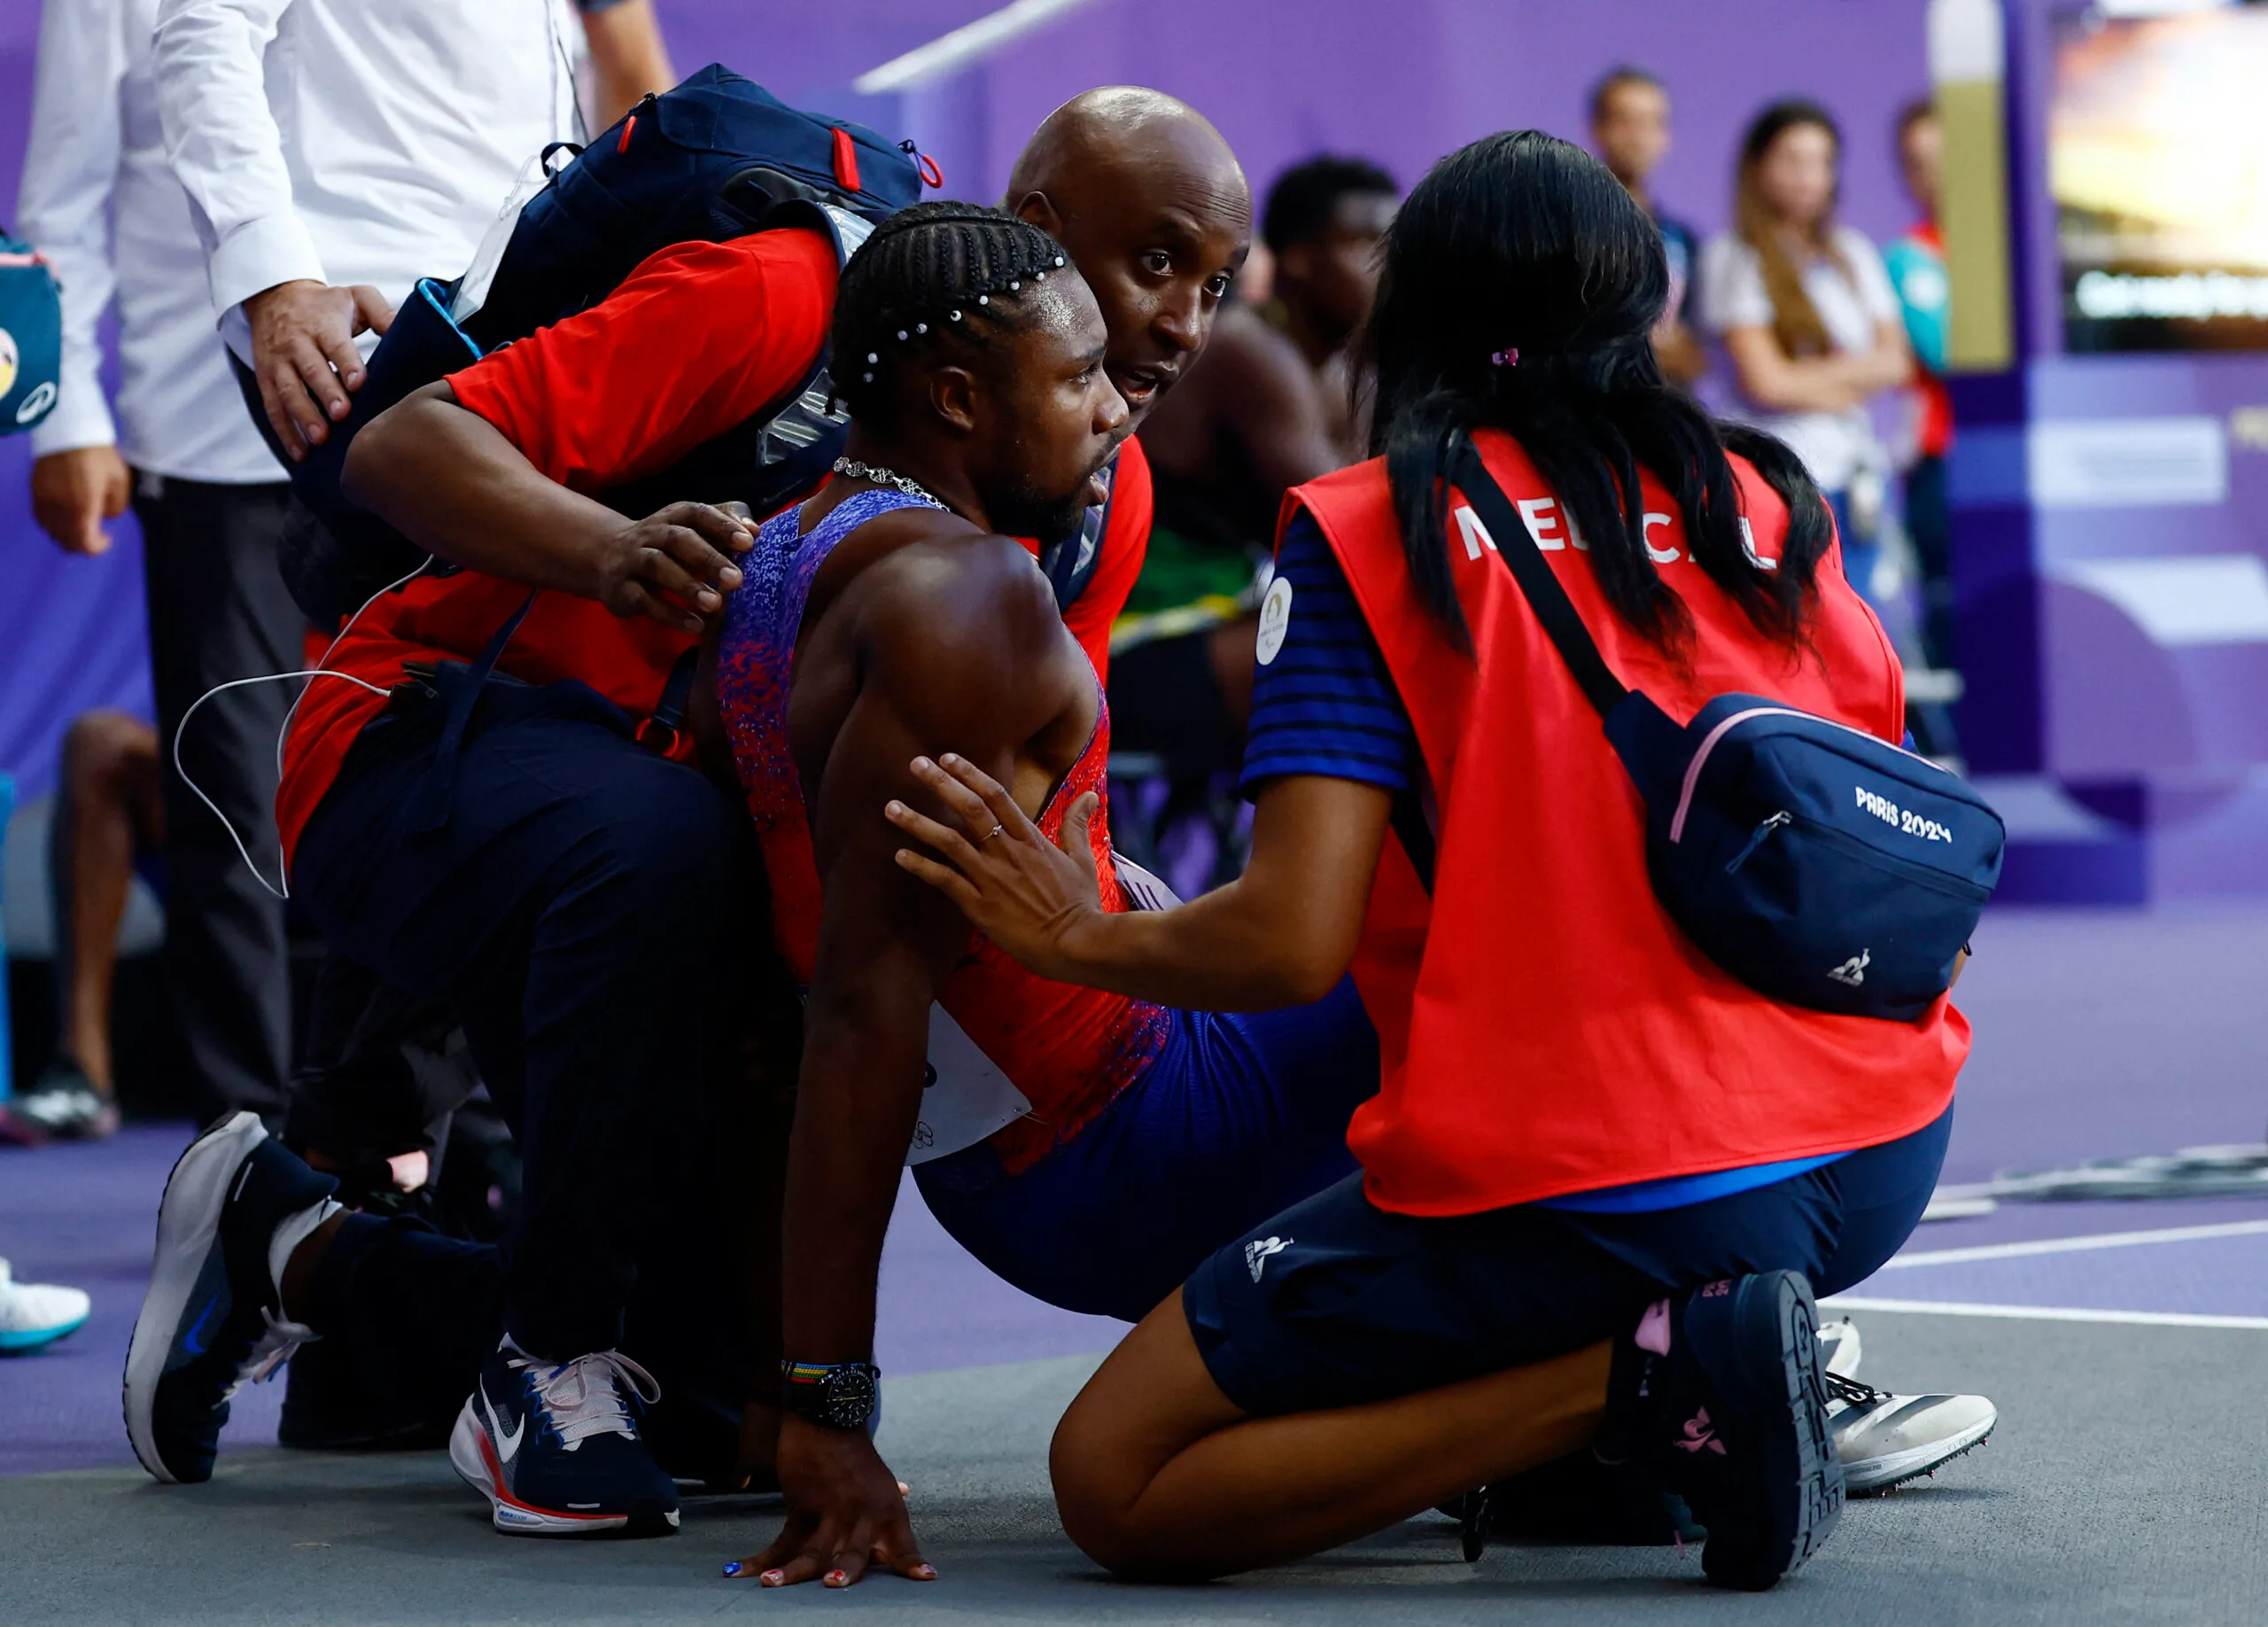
1283	78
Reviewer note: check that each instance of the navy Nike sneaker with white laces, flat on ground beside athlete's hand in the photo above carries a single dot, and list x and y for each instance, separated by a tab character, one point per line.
557	1449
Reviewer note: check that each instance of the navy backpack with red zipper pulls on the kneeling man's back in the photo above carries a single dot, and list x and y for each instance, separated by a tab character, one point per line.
713	160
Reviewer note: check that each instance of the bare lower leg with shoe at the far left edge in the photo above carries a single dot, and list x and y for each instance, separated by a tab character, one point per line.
108	820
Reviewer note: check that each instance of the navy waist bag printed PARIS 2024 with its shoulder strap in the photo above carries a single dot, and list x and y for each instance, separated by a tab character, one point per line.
1811	861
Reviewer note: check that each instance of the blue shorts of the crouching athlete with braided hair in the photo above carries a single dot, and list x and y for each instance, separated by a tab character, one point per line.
1239	1118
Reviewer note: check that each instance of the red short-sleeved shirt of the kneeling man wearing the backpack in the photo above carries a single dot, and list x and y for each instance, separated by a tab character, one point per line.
695	342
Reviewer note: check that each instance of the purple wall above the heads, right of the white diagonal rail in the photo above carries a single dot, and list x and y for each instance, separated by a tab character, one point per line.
1407	83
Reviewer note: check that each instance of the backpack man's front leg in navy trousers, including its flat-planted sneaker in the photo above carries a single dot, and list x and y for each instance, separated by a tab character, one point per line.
573	909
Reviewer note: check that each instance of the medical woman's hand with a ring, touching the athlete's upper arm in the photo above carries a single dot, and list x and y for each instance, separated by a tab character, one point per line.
1015	886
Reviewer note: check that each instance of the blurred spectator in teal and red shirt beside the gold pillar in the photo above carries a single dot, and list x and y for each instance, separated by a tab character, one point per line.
1918	271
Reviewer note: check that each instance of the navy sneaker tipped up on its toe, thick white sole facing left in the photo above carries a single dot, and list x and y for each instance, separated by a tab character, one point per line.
214	1320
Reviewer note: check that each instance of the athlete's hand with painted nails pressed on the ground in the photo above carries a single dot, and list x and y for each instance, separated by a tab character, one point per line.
845	1512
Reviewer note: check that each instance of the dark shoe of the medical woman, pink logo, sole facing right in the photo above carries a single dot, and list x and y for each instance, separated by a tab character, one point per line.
1723	1392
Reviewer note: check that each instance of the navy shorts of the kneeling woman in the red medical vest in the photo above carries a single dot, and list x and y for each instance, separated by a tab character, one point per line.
1335	1301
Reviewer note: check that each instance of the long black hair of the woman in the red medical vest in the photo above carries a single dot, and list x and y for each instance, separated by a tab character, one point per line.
1521	294
